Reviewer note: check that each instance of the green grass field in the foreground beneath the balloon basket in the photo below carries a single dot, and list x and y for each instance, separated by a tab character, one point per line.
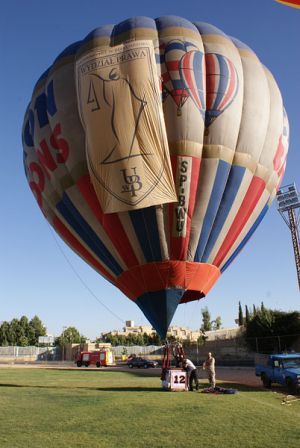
70	408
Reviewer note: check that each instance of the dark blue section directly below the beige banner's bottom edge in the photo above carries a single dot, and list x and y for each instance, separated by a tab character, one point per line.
145	226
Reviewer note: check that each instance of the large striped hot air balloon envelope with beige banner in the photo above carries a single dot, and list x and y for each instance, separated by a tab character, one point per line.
154	148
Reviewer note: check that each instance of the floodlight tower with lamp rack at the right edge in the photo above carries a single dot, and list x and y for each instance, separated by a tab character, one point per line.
288	201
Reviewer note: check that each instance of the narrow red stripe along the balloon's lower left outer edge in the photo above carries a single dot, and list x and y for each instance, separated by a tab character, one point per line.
67	236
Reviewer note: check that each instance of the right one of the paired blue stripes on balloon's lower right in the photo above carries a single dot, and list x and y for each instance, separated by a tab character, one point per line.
232	187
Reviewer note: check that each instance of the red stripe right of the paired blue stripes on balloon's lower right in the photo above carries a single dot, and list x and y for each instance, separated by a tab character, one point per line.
250	201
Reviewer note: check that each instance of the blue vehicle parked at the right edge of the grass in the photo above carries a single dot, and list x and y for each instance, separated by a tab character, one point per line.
282	369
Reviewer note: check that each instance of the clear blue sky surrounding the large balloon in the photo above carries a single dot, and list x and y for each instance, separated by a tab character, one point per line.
39	274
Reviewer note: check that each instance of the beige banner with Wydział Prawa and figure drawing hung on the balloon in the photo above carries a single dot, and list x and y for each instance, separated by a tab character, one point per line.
128	155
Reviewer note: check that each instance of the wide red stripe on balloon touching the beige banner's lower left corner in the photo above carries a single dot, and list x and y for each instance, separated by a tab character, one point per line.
110	222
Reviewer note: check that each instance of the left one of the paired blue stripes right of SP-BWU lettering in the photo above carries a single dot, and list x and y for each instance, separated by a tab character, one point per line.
212	208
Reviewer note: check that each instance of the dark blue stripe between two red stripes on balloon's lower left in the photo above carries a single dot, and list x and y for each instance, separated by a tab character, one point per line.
67	209
